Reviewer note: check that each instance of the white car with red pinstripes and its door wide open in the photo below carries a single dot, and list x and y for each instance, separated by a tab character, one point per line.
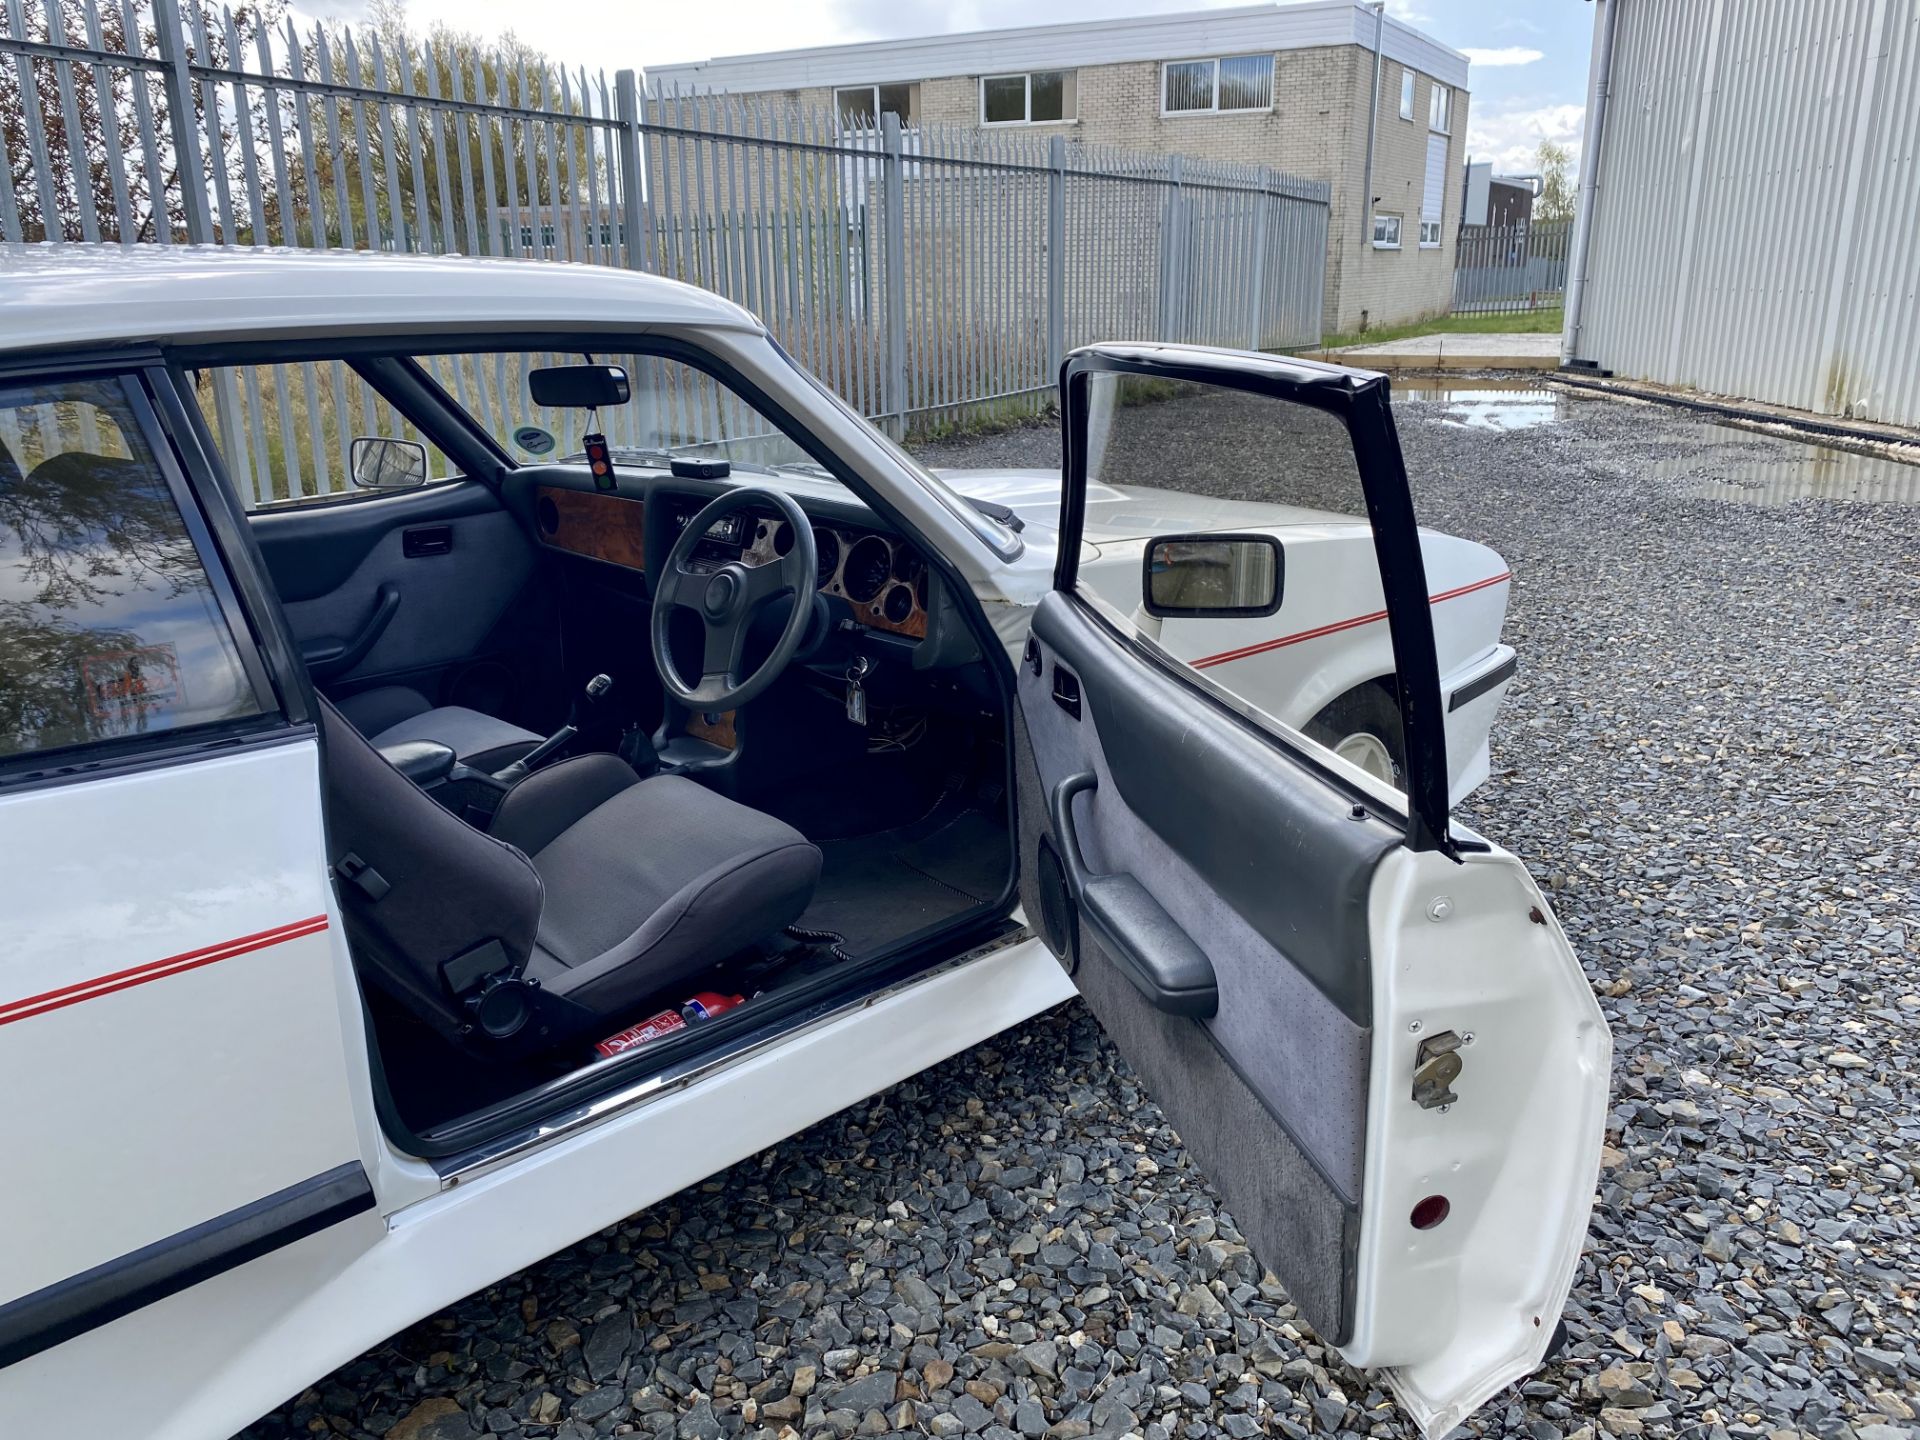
404	886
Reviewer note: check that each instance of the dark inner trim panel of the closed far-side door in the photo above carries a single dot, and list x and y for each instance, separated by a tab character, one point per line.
414	588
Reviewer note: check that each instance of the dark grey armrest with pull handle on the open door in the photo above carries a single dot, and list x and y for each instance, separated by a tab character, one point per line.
1130	924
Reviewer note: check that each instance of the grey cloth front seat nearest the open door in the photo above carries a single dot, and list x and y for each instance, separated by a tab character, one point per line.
602	888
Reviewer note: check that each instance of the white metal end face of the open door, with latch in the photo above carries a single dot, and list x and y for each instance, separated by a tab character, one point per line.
1456	948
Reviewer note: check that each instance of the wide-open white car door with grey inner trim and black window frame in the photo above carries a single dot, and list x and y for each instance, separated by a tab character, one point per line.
1364	1022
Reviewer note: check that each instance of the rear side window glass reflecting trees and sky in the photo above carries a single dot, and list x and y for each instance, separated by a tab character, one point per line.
108	621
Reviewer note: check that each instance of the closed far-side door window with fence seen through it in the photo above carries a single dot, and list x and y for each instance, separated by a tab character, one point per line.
287	431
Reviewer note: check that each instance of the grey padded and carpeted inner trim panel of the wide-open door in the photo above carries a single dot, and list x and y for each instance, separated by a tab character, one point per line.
1291	971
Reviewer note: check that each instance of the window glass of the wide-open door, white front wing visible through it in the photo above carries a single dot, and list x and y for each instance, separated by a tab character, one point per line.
1293	625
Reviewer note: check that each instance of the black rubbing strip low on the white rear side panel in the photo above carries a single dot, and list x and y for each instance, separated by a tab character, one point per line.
107	1293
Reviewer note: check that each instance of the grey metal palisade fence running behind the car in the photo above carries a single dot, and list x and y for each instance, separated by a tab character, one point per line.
928	274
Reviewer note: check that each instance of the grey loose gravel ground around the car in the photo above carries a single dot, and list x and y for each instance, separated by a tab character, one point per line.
1714	761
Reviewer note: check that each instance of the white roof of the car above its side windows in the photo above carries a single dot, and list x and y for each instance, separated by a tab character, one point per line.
101	295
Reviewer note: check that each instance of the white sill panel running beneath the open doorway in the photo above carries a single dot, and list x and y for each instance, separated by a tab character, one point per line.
289	1318
